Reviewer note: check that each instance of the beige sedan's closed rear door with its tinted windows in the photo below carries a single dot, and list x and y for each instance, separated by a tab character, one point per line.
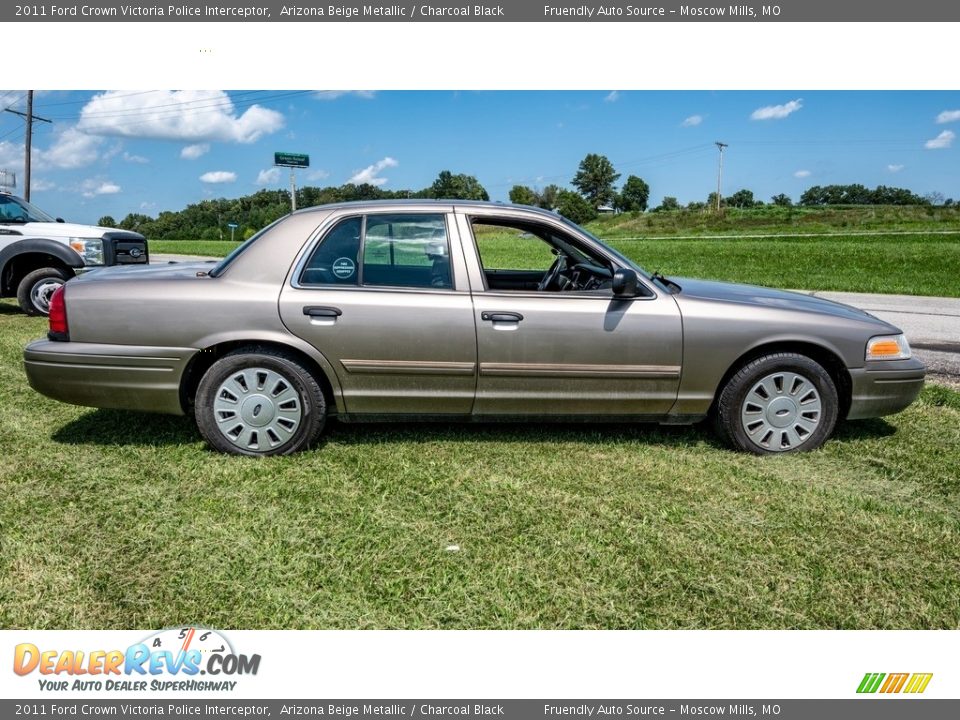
384	296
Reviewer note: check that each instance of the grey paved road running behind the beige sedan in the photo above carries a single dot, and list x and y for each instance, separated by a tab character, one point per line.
932	324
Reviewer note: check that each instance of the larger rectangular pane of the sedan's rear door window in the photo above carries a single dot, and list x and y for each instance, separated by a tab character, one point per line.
407	251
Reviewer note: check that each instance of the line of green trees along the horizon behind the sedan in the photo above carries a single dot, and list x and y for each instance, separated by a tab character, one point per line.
594	191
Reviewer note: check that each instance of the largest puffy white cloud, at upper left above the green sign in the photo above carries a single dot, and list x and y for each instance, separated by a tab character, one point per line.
192	115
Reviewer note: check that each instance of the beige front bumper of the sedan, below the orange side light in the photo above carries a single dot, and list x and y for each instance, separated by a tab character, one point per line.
885	388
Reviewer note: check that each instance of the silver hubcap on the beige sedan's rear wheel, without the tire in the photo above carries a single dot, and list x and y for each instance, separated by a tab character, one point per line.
257	409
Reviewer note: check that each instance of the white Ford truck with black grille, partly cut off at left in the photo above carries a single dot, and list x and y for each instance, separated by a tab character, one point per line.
39	253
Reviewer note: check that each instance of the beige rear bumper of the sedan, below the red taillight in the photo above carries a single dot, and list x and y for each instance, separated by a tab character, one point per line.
126	377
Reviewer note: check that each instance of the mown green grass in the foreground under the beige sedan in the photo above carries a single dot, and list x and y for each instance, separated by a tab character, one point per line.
122	520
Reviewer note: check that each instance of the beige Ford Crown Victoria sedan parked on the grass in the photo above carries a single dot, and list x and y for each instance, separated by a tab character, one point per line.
453	310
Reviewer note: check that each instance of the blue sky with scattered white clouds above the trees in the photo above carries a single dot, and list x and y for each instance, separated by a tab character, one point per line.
115	152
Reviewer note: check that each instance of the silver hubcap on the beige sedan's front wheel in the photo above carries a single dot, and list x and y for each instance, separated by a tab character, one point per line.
781	411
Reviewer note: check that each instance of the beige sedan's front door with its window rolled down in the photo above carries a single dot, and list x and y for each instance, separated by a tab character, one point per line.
563	345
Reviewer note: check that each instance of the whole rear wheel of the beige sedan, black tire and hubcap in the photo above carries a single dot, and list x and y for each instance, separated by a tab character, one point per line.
278	407
